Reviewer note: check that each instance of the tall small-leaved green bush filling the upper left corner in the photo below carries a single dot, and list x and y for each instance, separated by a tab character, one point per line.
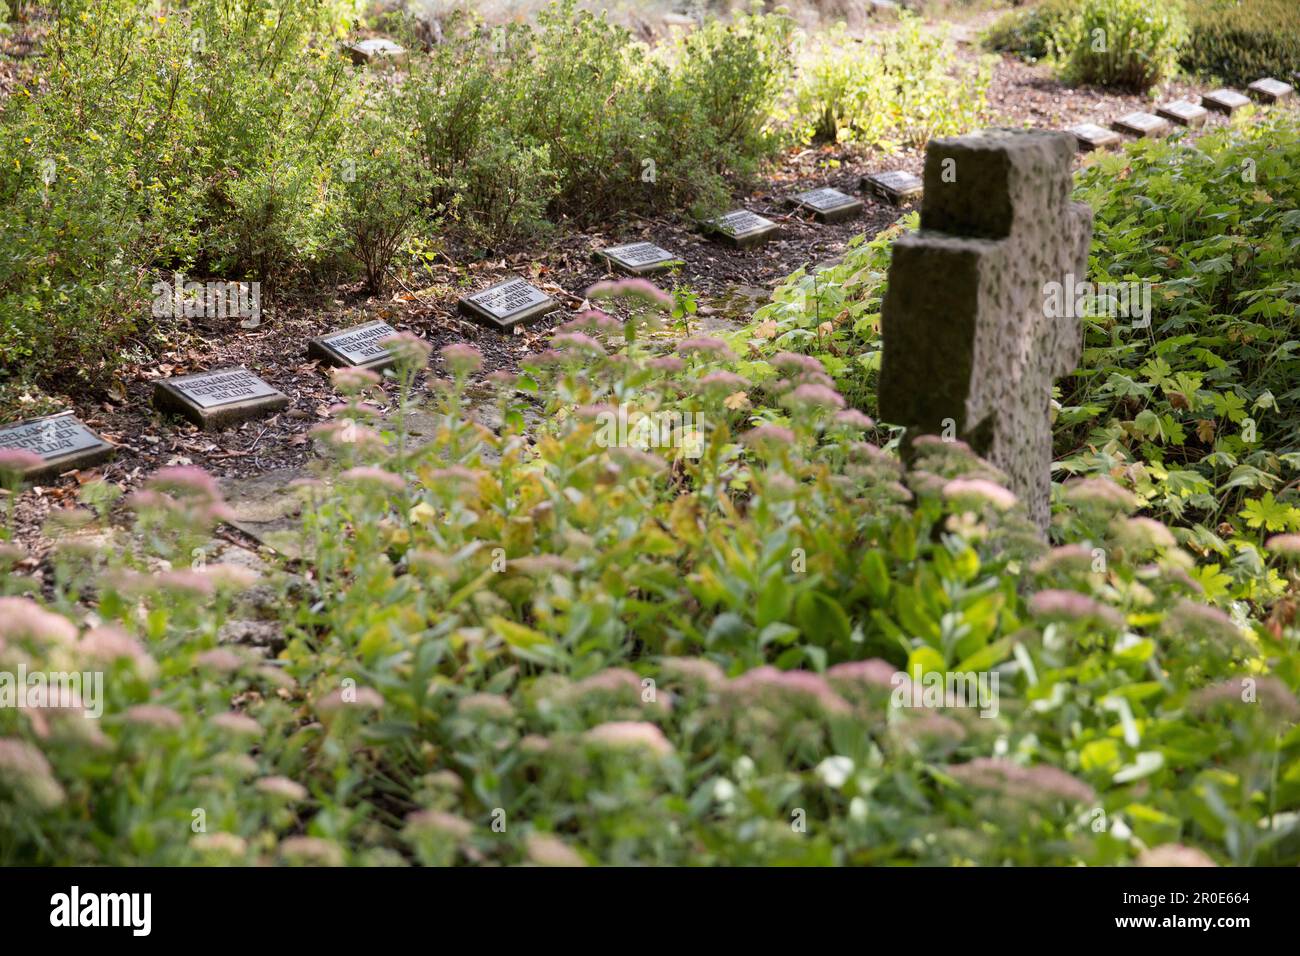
162	144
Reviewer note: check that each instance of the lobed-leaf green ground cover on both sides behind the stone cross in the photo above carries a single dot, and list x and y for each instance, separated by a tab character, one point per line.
1194	414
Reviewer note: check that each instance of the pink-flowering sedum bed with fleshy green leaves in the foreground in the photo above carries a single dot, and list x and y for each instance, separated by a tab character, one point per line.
561	650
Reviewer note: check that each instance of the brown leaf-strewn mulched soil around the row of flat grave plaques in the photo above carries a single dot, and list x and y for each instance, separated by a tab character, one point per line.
562	266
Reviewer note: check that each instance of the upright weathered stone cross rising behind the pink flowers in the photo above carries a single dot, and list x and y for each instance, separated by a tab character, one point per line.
970	347
